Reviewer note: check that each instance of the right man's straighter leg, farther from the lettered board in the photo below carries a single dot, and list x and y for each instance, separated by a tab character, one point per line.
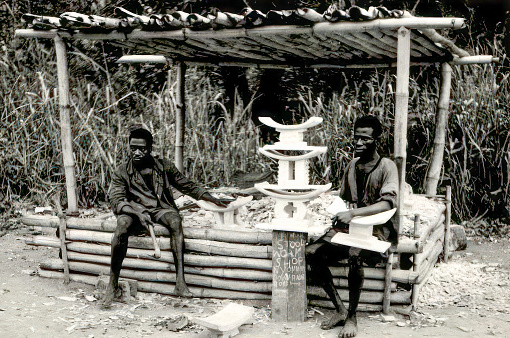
355	279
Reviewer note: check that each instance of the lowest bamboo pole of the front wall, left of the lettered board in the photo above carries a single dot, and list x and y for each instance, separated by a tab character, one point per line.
164	288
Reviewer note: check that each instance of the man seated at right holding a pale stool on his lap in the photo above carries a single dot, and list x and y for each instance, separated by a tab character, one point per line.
370	185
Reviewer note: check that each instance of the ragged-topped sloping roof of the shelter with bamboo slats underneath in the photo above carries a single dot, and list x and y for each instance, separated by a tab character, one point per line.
301	37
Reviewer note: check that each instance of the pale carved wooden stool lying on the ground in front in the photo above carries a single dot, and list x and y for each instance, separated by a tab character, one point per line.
226	322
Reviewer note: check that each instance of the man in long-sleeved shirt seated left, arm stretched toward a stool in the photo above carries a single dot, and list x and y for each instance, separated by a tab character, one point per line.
140	195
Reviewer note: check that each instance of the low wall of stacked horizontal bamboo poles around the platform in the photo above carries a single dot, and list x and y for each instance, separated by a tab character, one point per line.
222	263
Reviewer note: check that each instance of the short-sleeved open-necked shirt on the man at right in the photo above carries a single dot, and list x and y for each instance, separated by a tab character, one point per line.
381	184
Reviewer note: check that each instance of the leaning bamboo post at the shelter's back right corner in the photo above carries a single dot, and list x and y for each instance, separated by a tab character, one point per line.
436	159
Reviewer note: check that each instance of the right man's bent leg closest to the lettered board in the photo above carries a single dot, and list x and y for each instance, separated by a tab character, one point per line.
316	257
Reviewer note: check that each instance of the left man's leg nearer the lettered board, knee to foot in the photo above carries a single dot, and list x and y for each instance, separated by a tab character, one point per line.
172	221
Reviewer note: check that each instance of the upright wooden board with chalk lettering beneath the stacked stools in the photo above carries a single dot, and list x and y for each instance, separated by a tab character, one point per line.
288	300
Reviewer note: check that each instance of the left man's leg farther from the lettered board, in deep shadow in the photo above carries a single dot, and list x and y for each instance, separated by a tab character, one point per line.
119	249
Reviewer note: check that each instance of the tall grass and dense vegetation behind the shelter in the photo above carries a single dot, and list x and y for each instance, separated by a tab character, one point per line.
221	137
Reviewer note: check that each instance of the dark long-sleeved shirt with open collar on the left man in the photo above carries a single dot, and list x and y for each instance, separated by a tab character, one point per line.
128	186
